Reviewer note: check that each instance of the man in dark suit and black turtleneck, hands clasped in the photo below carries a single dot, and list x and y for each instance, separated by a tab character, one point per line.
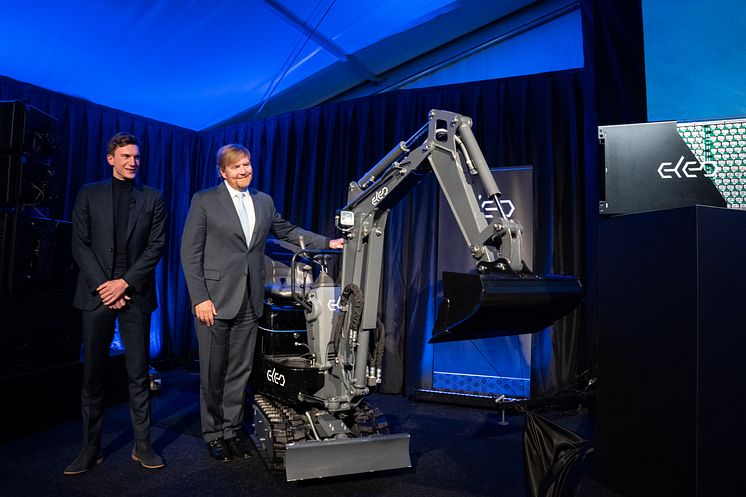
118	234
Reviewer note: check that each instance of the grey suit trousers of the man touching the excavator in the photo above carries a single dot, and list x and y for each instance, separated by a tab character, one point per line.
226	355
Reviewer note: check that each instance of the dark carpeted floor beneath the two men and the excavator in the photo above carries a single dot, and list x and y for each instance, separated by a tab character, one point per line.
455	451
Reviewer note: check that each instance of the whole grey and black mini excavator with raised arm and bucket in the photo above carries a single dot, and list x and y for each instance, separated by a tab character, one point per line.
320	347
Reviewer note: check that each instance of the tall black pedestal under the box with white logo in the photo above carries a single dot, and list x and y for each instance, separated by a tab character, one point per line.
672	336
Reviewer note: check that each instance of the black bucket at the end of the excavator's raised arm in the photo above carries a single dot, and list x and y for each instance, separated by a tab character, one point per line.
490	305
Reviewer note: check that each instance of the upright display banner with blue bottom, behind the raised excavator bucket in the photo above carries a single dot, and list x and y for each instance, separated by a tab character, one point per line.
493	366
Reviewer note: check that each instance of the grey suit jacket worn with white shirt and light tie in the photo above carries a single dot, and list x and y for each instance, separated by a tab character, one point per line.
216	261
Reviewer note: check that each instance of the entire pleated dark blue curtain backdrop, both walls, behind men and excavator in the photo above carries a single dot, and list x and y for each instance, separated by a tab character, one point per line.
306	159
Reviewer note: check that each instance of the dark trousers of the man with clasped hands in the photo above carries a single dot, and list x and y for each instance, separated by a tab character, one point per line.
98	332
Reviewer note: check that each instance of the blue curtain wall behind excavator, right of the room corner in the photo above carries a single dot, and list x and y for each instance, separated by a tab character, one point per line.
306	159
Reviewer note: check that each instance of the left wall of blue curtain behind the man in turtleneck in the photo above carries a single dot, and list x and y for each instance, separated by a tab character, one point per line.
167	158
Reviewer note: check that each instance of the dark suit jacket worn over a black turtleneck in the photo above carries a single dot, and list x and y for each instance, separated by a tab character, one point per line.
93	243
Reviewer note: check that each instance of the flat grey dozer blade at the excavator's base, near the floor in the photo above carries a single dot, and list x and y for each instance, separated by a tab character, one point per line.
345	456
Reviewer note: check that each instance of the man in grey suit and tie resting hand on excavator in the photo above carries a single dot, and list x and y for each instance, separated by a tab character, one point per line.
222	254
